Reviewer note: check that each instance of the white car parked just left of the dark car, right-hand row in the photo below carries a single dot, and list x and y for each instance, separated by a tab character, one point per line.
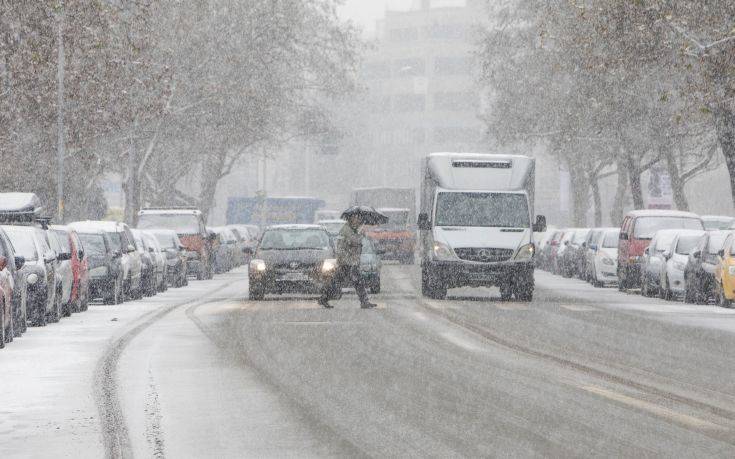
677	255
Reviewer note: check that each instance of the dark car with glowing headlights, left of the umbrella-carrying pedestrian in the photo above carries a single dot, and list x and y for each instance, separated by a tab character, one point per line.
292	259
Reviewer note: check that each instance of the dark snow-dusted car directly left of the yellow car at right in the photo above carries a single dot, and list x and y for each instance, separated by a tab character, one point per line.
699	275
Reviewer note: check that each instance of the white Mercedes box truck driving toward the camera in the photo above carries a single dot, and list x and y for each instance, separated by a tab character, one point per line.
475	219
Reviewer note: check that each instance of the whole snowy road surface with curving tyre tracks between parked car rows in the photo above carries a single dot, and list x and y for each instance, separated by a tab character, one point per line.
202	372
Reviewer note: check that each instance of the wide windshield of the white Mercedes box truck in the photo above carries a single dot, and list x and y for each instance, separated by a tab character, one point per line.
501	210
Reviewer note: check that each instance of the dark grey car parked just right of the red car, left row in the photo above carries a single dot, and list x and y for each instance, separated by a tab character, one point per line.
104	259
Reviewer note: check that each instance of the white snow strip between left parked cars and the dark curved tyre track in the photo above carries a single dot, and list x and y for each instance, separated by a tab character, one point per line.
47	377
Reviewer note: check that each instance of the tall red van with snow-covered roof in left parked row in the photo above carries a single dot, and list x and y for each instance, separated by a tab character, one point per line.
189	225
